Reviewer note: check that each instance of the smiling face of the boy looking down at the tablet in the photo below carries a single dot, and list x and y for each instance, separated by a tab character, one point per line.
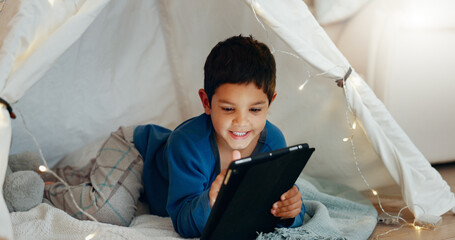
238	113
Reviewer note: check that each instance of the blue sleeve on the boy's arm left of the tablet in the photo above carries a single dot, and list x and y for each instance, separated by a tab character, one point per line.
190	177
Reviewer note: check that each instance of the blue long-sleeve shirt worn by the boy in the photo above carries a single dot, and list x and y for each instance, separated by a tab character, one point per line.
180	166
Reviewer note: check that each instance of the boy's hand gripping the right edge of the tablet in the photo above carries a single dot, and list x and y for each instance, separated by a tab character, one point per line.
289	205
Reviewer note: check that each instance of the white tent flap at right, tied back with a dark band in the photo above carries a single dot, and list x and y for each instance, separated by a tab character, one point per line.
403	160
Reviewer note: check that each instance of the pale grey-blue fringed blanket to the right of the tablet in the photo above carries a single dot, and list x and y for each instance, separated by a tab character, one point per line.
334	211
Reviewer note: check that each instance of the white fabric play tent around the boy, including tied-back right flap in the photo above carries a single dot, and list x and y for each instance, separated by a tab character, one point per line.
77	70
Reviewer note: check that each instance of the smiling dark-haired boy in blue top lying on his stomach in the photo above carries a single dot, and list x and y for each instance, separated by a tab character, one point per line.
183	169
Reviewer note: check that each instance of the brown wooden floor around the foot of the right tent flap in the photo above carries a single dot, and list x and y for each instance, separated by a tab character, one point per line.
393	203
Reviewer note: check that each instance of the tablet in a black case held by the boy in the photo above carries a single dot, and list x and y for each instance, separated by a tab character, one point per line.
250	187
